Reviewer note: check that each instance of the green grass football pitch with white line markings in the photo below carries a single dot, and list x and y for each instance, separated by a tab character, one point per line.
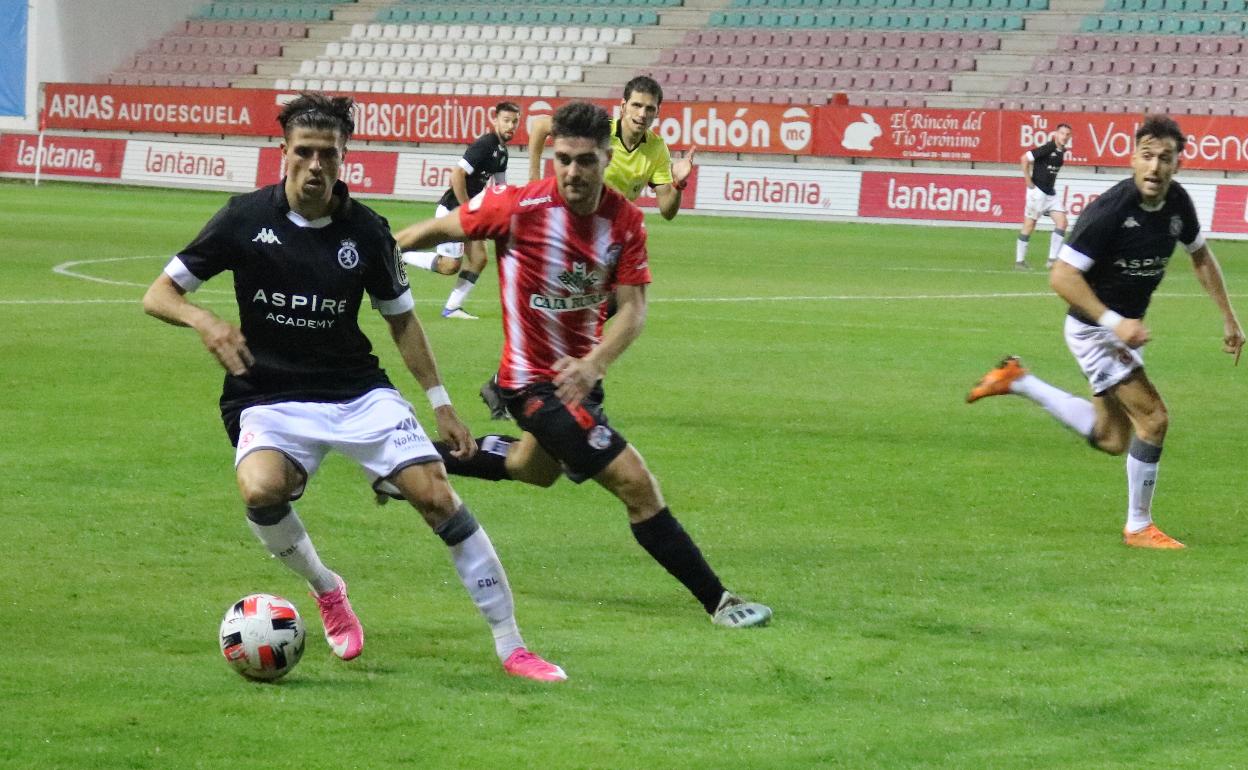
949	585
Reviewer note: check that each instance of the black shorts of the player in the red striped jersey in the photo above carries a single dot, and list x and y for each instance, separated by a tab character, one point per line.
578	436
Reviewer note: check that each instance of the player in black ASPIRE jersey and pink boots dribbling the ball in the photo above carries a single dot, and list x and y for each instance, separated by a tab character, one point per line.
301	379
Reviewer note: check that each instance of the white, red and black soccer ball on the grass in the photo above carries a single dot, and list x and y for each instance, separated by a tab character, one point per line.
263	637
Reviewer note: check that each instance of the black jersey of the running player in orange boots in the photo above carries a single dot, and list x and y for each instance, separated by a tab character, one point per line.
1124	249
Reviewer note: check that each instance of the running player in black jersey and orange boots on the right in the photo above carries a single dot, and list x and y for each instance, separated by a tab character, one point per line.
1108	273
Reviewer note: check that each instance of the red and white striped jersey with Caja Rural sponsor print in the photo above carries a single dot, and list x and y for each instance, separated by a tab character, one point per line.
556	271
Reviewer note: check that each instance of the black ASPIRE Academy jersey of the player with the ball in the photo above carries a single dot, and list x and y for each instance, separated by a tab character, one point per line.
299	286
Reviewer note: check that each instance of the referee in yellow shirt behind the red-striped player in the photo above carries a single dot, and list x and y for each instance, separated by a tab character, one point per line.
640	157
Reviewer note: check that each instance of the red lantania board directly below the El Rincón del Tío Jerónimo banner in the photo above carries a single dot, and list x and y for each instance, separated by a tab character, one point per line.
942	197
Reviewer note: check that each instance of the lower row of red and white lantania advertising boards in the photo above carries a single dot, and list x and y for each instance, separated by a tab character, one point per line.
990	199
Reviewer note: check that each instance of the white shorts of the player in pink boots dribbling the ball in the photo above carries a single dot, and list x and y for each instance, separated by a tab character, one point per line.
379	431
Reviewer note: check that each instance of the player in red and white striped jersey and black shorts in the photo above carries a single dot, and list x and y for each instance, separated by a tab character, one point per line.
565	245
